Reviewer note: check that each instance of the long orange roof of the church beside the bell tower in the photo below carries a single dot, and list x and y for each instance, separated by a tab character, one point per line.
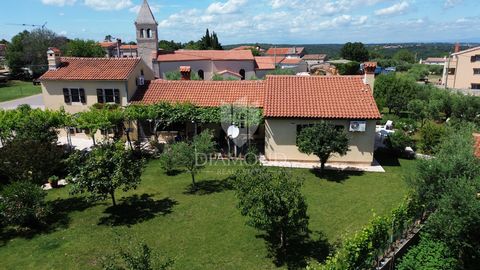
214	55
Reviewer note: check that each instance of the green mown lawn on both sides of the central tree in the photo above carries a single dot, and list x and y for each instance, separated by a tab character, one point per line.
201	230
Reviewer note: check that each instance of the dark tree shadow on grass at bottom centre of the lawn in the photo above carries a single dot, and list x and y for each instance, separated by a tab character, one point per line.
298	251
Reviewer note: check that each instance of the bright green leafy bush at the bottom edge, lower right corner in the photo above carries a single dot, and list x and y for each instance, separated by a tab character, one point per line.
427	255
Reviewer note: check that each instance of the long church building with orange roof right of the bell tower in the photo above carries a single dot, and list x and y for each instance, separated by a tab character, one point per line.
206	63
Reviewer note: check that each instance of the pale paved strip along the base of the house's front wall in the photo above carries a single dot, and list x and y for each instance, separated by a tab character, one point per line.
376	167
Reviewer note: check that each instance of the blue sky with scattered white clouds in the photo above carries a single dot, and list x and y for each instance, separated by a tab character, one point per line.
250	21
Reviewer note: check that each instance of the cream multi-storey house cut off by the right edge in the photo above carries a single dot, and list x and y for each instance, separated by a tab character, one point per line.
462	70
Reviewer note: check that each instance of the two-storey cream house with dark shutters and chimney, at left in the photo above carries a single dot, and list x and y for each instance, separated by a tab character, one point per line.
77	83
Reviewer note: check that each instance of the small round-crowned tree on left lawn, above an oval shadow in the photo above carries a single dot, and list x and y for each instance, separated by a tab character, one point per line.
105	169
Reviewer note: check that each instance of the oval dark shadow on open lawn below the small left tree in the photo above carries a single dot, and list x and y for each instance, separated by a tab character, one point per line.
136	209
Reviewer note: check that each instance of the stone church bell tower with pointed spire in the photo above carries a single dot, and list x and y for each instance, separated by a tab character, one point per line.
147	34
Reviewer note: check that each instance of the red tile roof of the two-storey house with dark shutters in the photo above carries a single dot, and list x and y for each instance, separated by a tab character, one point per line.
104	69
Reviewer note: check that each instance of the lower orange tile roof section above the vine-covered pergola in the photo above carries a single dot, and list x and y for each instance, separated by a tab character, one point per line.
202	93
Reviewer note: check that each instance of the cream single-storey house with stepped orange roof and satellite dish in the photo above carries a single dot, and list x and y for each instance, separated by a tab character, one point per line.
289	103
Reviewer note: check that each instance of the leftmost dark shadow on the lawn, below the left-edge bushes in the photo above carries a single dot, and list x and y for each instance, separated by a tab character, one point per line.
58	219
